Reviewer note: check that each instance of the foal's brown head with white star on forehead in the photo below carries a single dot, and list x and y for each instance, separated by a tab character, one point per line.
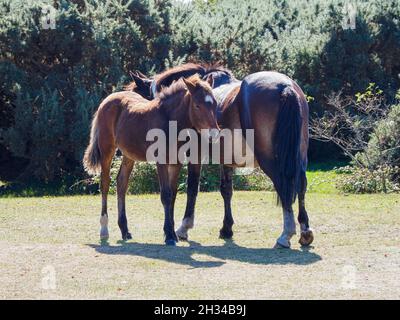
203	106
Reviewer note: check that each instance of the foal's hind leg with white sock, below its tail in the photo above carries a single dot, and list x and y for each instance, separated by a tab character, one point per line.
104	187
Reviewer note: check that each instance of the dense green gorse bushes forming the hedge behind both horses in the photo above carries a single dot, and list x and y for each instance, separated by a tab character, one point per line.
52	80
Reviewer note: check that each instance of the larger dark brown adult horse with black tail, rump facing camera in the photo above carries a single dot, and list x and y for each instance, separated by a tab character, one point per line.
275	107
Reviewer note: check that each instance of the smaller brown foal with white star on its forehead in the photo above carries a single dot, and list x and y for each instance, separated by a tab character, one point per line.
123	121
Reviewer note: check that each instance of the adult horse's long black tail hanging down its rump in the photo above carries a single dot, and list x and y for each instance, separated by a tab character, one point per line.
287	147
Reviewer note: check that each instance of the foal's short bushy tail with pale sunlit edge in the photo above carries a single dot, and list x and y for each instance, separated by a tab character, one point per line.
91	159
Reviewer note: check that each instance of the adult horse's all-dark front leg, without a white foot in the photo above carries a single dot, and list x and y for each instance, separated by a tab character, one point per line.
226	189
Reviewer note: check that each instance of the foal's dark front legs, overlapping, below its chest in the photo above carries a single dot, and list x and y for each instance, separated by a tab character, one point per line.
168	178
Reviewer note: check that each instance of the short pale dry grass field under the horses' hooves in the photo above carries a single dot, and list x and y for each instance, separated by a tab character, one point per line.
356	253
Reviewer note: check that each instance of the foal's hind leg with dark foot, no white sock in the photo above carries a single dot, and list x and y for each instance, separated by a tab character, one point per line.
122	186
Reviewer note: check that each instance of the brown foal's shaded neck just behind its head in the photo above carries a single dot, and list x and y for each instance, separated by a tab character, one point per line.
176	108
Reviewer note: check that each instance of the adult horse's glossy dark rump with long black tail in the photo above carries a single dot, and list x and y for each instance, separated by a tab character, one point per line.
276	108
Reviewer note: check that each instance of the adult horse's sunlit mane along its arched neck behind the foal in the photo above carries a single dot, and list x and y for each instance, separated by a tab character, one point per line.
168	77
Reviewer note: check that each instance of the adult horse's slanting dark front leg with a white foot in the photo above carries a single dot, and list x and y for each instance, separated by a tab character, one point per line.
193	180
